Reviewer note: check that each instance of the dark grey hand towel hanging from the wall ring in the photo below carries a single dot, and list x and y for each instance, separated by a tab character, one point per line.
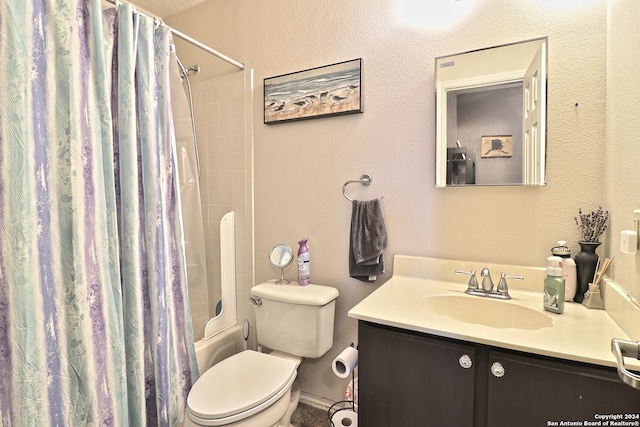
368	240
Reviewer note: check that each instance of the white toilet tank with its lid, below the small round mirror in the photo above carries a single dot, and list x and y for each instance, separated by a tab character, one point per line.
295	319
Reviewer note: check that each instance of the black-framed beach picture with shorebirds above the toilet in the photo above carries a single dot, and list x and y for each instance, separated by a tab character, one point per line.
310	94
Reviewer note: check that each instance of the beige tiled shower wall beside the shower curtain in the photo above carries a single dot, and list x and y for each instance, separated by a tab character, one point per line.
224	131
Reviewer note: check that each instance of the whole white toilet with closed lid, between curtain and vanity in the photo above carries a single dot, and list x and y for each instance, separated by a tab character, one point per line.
255	389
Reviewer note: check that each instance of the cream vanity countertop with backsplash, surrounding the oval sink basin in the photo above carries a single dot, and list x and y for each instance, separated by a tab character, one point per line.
579	334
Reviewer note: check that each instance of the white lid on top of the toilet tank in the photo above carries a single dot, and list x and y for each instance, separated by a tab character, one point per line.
295	294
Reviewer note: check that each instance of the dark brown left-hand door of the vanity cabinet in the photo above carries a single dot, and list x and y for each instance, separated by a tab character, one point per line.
409	379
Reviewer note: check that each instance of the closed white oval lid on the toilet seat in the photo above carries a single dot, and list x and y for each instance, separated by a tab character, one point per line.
240	383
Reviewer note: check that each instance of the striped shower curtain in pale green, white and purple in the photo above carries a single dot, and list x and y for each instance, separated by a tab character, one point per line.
94	317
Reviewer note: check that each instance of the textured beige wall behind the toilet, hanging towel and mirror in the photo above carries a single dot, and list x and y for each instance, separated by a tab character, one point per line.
300	167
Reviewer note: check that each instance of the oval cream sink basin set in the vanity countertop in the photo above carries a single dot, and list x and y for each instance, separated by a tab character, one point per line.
488	312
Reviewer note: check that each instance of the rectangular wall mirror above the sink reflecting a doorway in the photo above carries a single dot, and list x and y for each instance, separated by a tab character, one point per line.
491	111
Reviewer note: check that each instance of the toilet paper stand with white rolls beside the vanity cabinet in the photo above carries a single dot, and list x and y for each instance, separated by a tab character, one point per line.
345	410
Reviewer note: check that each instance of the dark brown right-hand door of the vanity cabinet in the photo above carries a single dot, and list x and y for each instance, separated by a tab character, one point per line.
539	392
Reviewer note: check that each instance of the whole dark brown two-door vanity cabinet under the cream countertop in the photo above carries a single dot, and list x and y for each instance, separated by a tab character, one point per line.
410	378
